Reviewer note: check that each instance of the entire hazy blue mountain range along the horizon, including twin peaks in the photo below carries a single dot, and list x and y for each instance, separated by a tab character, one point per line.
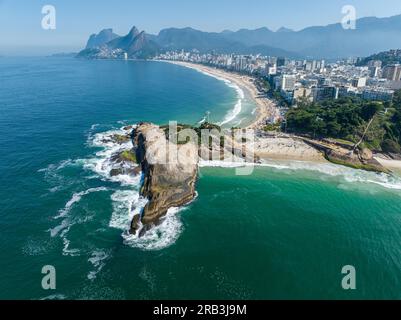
330	42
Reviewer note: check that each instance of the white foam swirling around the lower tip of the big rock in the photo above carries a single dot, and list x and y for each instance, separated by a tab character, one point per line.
158	237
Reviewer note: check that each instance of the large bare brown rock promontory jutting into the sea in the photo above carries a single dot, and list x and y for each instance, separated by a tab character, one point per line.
169	177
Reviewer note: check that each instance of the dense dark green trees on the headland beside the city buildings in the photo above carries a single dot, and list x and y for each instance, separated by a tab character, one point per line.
374	125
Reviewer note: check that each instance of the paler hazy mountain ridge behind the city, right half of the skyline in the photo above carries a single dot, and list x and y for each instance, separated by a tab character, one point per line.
332	41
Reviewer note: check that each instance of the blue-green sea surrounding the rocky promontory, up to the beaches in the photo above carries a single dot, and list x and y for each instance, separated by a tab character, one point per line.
285	231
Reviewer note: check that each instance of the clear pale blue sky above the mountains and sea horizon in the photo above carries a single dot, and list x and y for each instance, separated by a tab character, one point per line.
20	20
